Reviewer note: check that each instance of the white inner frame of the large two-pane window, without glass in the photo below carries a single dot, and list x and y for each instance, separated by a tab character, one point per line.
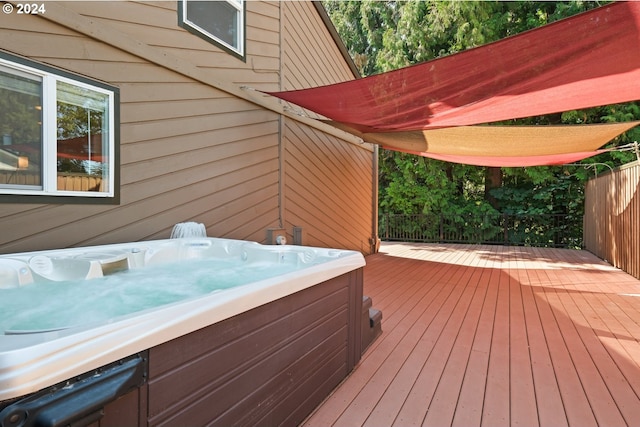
49	137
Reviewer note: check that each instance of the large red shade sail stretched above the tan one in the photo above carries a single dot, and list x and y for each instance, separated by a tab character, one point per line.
587	60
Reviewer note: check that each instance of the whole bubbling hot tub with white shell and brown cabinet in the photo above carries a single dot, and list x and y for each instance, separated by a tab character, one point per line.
194	322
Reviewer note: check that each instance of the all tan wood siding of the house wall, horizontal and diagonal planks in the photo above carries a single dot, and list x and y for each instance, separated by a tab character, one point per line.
193	147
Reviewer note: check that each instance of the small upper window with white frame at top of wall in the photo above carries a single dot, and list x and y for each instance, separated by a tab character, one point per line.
220	22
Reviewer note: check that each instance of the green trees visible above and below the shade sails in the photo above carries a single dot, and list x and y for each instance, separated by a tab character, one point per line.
386	35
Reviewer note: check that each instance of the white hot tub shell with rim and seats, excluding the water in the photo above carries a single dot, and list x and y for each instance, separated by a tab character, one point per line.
35	358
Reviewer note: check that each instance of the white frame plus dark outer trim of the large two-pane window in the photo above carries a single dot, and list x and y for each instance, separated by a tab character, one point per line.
49	194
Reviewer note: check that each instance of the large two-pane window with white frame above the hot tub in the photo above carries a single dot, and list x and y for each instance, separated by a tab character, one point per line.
58	136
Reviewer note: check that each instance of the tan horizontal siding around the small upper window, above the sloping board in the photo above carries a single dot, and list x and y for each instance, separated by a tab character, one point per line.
156	24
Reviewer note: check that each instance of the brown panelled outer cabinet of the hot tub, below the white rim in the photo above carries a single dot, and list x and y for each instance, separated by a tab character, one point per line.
271	365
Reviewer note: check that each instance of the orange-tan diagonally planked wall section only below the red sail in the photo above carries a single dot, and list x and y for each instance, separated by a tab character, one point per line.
328	189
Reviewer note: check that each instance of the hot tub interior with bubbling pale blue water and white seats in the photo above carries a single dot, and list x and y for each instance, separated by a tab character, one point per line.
51	290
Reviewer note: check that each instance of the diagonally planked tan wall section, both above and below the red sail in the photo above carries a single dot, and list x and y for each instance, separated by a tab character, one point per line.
328	184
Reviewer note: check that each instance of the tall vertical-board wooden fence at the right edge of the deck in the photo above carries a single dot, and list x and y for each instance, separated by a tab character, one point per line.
612	218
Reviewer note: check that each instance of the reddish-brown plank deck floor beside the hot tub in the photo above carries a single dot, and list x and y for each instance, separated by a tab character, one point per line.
494	336
